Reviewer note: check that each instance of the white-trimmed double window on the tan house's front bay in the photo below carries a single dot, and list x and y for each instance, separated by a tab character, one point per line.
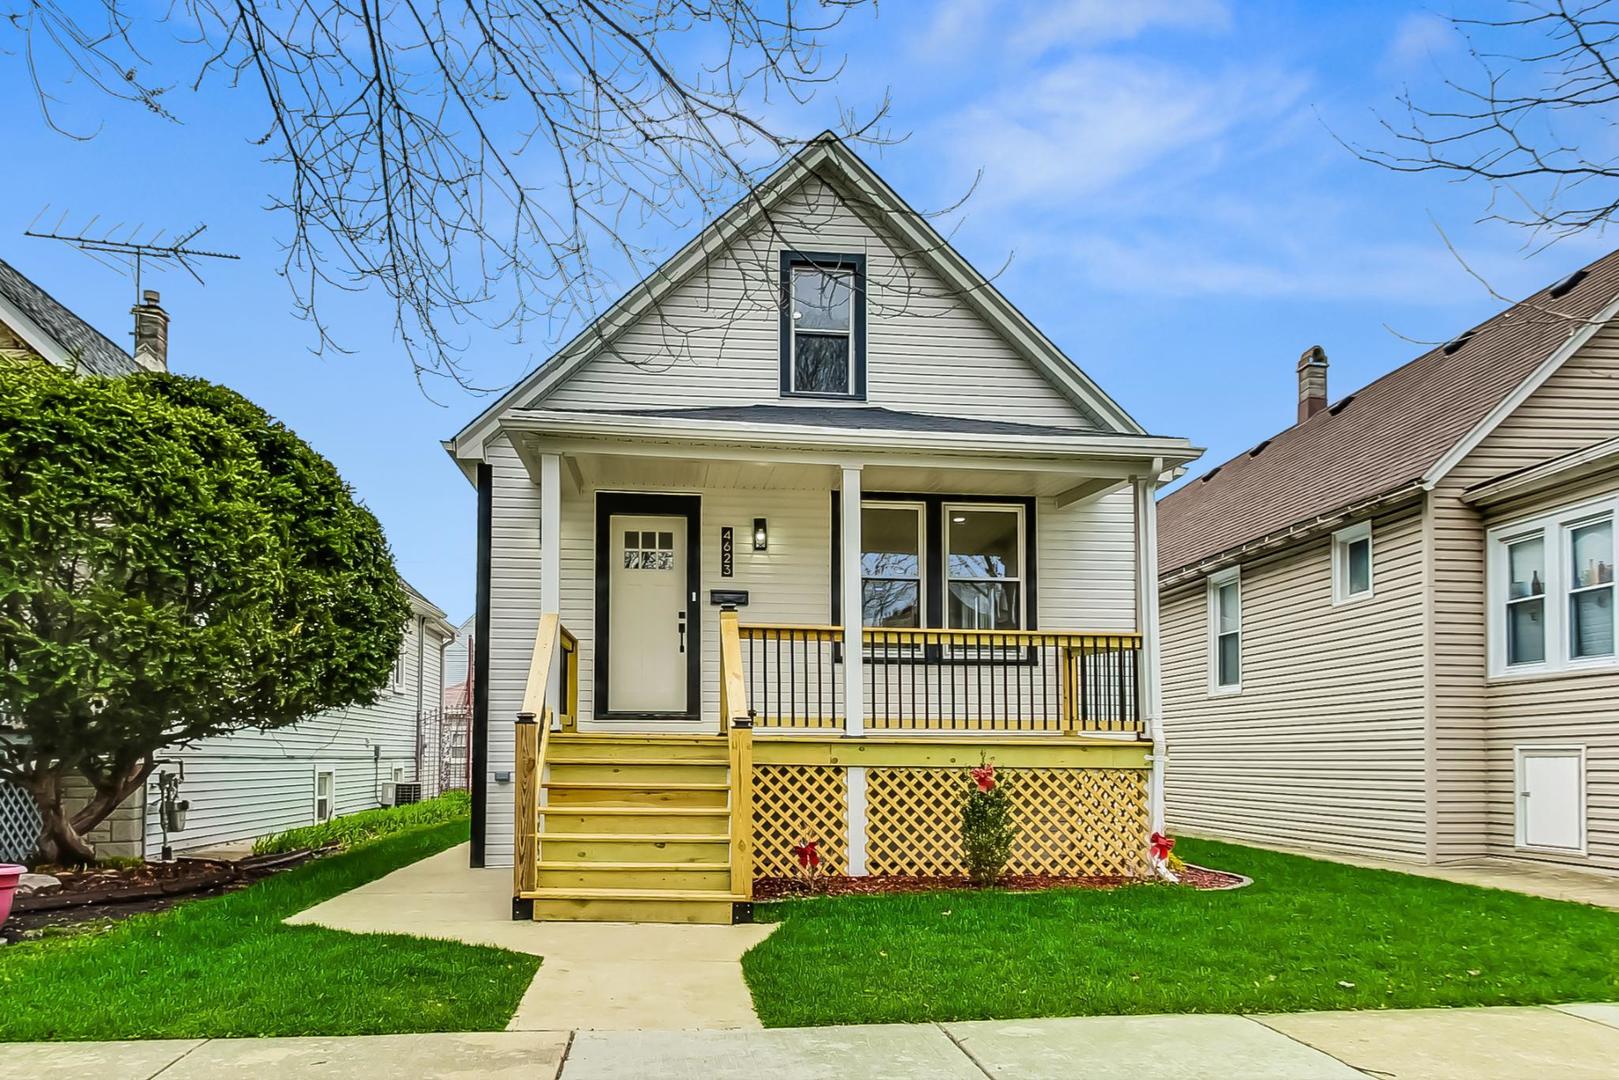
1552	592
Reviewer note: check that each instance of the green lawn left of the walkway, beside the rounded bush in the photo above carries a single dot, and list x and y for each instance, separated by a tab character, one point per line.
229	967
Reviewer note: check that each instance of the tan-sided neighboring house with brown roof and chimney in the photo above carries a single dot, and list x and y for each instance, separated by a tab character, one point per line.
1390	629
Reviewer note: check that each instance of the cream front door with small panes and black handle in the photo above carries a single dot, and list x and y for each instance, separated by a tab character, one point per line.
647	597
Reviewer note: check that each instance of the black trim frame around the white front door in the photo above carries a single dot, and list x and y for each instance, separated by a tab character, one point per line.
691	508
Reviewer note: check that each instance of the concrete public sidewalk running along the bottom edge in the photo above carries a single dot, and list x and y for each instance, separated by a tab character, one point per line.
1565	1042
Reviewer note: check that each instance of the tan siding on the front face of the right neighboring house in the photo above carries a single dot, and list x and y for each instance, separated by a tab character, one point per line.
1579	406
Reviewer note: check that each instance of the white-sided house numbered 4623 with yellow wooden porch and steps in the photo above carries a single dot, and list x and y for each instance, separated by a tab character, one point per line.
820	477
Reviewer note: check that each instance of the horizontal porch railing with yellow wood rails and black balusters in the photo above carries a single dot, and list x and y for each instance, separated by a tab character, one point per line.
990	681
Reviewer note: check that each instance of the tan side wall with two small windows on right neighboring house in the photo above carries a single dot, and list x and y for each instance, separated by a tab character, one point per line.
1325	746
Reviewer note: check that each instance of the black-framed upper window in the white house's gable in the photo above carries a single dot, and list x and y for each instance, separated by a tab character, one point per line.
823	326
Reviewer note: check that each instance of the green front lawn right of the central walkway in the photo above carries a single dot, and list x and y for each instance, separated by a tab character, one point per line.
1307	935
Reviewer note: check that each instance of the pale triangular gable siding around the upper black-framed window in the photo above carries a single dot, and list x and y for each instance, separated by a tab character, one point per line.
715	341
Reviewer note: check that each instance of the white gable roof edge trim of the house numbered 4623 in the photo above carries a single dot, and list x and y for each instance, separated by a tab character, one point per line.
830	159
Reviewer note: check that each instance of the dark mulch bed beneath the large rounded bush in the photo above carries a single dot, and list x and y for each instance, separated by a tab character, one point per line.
108	895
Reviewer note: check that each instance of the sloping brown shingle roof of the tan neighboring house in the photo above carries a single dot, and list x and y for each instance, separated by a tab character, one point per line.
1401	430
